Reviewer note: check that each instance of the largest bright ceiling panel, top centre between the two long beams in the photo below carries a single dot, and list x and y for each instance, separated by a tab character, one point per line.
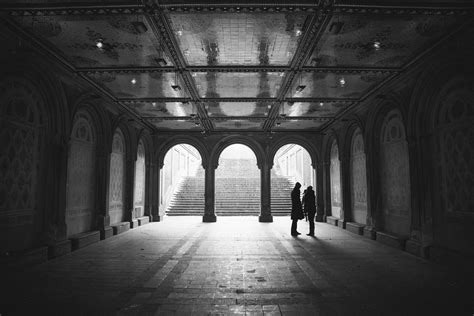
238	39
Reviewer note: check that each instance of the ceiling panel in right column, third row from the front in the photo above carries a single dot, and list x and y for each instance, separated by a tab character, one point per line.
313	109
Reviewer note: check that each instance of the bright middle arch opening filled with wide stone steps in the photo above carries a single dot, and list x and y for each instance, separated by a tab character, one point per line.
237	182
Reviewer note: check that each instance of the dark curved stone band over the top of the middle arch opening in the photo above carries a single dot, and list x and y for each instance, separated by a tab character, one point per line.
237	139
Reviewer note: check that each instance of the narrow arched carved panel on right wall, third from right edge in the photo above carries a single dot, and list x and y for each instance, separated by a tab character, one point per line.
358	179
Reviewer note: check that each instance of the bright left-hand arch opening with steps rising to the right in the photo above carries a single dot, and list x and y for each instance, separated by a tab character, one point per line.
182	182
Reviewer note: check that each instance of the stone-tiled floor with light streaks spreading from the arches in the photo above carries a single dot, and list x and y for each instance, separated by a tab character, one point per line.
236	266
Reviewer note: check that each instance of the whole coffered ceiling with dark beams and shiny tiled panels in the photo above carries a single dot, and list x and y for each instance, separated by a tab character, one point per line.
267	66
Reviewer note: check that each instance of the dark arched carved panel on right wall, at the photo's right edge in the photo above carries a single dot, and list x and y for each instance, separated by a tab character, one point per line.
454	165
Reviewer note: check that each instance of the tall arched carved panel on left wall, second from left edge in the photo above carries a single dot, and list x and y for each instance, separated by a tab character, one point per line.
80	202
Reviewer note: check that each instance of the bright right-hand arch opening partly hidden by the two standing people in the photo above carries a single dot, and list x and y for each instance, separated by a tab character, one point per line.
291	164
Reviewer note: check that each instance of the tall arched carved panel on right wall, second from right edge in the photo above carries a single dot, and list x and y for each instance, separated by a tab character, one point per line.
395	176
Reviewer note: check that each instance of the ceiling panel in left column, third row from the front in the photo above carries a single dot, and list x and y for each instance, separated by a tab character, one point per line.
162	109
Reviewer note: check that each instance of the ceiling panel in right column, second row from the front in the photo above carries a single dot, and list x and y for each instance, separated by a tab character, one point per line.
334	85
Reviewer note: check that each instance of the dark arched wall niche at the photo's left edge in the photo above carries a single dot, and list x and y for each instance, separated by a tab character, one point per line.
26	127
